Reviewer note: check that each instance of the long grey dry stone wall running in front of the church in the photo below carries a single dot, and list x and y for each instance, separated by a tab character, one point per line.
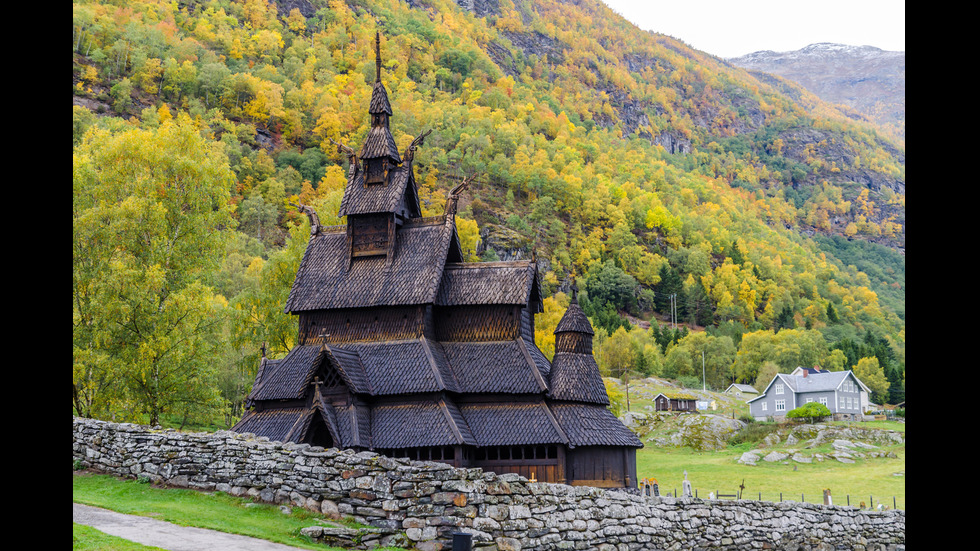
419	504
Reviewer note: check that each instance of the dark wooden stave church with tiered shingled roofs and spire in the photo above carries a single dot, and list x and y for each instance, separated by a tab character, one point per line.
406	350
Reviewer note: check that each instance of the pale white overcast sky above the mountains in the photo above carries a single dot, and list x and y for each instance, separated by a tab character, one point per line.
737	27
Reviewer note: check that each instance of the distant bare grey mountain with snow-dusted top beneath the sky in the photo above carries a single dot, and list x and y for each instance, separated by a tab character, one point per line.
867	79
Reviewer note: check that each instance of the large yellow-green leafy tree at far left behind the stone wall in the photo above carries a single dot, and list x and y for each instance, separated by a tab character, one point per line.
151	214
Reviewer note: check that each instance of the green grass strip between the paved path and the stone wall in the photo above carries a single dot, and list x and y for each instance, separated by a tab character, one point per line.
212	510
